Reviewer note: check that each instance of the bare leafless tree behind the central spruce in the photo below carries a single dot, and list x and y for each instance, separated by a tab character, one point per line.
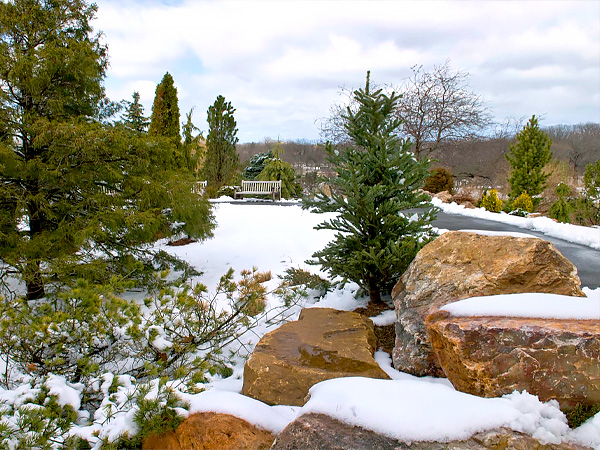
437	107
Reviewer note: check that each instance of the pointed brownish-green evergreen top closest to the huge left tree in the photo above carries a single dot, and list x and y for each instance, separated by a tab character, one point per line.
164	120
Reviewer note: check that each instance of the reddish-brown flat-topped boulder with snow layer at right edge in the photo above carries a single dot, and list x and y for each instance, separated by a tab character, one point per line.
493	356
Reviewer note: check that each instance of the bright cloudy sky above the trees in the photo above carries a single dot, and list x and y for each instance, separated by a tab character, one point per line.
282	63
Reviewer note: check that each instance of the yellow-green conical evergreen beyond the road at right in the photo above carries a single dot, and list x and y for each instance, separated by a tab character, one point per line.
527	158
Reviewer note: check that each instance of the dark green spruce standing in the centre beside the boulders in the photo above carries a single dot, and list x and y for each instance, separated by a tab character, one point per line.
377	178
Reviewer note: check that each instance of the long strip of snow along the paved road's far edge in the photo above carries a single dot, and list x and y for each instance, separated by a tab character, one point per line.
589	236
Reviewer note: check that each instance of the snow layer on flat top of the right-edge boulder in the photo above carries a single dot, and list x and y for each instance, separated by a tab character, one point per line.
532	305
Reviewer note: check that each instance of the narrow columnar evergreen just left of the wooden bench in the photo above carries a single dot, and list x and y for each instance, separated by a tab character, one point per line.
222	160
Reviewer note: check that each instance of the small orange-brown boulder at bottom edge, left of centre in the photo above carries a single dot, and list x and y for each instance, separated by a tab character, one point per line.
212	431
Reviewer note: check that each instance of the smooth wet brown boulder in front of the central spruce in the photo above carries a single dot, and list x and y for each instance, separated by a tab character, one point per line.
322	344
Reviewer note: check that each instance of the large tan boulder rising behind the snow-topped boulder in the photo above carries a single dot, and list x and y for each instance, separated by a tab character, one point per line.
459	265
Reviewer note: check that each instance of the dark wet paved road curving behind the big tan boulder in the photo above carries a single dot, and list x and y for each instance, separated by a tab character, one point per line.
586	259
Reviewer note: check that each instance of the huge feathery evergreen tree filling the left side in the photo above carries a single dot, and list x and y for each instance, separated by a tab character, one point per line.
92	195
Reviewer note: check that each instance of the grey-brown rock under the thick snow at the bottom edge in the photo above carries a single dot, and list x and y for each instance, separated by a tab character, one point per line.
321	432
